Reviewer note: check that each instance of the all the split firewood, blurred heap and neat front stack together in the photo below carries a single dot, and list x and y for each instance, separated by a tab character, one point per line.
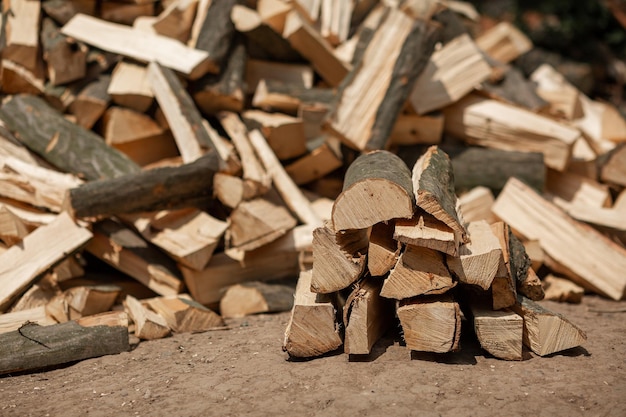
389	153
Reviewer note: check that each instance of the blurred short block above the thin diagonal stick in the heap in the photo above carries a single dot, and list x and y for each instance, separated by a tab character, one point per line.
284	133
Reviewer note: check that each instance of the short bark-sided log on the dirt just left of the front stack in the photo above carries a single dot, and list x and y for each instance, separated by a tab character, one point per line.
256	297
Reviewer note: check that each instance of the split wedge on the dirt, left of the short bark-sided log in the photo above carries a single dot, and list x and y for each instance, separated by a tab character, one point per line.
184	315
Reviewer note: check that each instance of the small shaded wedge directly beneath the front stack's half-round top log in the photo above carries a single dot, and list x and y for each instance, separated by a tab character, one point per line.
383	250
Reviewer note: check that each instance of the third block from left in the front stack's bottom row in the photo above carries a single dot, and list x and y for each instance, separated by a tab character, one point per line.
431	324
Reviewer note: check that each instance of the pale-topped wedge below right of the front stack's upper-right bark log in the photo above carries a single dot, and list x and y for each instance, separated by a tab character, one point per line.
479	260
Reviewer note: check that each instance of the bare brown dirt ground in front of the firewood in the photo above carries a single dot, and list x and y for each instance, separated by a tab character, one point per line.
243	372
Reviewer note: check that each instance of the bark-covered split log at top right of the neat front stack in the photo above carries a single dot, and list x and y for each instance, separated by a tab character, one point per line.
433	185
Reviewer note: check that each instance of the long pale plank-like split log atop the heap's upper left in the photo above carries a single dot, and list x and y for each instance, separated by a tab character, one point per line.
145	47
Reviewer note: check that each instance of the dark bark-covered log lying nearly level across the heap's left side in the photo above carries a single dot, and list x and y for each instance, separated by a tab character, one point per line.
155	189
